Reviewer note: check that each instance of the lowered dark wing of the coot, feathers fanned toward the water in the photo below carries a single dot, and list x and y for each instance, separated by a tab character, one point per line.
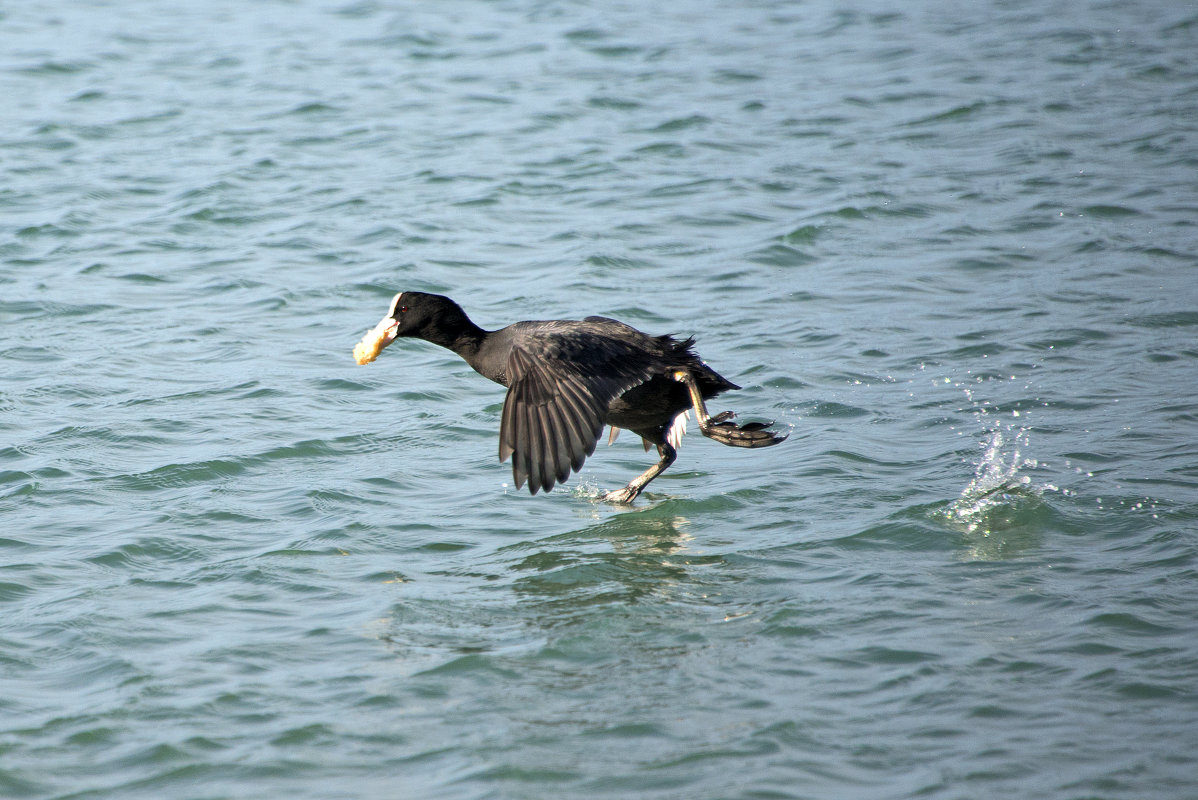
560	386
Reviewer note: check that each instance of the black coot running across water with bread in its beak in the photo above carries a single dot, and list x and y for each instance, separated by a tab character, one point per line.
567	379
